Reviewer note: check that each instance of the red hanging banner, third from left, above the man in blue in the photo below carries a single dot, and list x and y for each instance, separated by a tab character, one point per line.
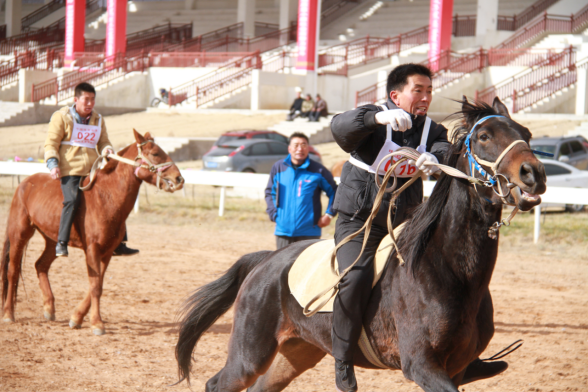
307	13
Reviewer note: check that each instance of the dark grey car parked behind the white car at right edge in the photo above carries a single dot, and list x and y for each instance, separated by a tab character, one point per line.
572	150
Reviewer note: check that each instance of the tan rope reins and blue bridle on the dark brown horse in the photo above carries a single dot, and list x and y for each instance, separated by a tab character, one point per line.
407	153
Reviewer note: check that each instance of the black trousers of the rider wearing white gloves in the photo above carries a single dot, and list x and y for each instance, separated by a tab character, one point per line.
356	286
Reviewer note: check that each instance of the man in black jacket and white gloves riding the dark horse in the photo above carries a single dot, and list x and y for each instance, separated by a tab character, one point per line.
369	133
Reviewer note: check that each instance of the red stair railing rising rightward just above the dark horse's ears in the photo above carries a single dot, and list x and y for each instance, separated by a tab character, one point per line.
530	86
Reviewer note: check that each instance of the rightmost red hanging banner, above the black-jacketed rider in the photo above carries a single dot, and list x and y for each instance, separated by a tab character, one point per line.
440	25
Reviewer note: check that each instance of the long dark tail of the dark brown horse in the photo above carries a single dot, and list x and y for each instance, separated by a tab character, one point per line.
206	305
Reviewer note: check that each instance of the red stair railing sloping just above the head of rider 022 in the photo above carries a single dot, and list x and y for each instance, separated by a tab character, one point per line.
97	73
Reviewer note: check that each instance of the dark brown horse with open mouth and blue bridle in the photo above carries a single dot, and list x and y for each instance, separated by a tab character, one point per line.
429	318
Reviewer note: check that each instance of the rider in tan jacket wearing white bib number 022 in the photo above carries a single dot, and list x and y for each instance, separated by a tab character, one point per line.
77	134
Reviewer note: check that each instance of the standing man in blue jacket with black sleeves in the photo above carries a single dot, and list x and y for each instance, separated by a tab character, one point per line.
293	194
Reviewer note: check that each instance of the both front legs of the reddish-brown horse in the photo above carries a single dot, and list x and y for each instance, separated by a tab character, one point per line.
96	268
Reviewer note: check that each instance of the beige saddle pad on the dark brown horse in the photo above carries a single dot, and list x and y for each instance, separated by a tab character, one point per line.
311	273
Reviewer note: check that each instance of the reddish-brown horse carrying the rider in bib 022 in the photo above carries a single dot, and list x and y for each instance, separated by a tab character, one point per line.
98	228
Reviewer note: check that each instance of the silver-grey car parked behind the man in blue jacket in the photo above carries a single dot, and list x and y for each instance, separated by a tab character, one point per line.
249	155
